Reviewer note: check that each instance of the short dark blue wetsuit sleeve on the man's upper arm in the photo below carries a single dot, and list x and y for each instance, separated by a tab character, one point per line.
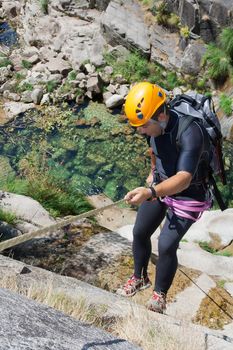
191	148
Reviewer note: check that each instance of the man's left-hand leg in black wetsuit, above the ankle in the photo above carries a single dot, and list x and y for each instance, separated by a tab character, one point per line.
149	217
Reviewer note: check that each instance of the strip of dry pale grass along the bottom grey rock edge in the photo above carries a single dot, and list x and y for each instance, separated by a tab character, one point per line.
139	327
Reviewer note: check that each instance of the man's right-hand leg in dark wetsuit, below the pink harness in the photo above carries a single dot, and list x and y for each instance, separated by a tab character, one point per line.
173	230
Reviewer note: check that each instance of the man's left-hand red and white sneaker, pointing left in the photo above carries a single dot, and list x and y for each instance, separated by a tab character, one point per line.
134	285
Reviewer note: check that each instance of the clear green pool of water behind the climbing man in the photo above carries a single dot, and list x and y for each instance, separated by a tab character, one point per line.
102	156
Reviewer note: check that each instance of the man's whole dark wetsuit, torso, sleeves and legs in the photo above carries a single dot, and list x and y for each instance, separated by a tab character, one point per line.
191	155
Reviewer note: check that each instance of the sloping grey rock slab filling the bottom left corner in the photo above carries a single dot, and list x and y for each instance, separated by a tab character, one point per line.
40	327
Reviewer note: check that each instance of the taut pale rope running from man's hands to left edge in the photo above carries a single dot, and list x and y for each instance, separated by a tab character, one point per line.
41	232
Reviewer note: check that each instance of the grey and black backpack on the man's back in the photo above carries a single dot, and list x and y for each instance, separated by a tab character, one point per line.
194	106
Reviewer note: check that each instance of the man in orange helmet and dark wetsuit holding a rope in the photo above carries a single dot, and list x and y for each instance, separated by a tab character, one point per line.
179	193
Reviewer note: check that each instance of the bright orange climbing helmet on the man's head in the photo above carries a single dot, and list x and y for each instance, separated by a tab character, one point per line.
142	102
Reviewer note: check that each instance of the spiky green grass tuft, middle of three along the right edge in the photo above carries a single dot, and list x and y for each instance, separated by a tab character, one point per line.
218	64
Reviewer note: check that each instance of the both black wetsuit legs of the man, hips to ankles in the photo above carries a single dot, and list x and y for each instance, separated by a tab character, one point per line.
149	217
